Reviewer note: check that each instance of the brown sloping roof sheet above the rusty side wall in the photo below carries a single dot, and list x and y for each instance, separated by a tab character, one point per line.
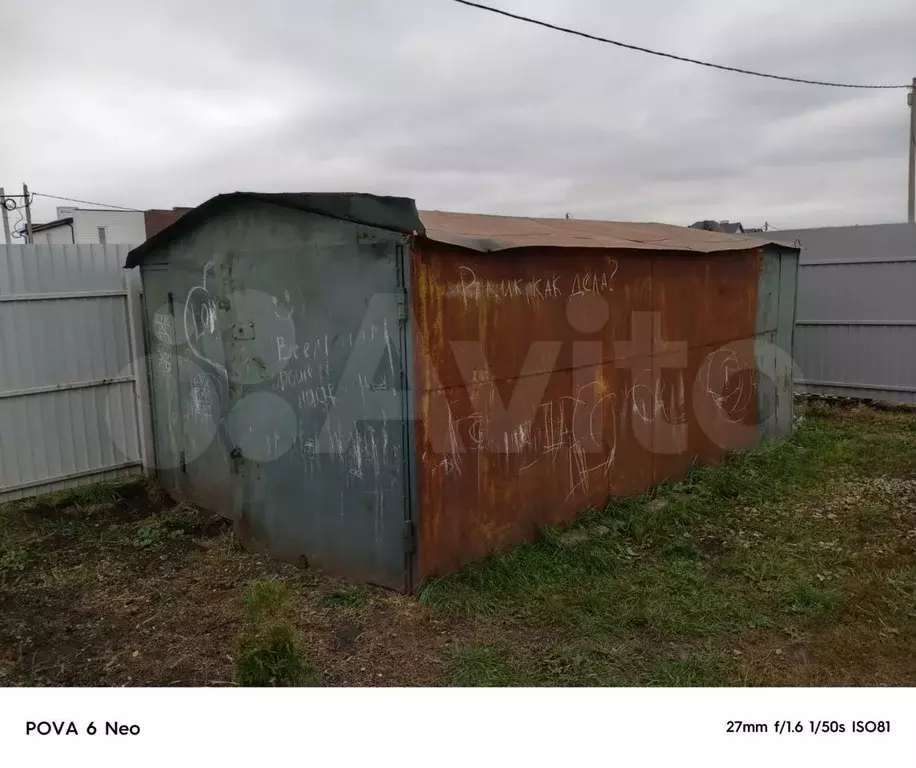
497	233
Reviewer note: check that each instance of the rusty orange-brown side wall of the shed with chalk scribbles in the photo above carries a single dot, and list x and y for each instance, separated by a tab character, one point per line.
547	380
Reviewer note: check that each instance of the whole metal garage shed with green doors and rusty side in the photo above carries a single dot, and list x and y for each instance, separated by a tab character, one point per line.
390	394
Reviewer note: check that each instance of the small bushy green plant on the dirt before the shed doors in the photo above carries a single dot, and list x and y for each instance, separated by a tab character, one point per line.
269	649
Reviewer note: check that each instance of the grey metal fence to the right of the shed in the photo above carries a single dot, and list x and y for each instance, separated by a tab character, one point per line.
856	318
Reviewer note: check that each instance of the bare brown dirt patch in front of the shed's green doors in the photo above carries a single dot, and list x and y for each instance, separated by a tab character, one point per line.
132	590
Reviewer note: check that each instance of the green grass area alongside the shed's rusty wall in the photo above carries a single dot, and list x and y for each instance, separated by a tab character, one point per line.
765	546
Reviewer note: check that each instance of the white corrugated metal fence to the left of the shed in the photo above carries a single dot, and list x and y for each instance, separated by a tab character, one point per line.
72	375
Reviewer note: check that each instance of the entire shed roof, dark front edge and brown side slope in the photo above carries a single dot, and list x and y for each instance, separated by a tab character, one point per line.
475	231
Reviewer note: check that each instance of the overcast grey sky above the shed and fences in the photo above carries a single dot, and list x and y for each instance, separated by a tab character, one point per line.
161	104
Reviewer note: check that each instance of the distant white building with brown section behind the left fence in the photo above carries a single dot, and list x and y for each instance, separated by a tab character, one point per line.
100	225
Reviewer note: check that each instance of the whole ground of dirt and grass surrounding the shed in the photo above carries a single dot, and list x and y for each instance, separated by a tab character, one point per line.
807	577
